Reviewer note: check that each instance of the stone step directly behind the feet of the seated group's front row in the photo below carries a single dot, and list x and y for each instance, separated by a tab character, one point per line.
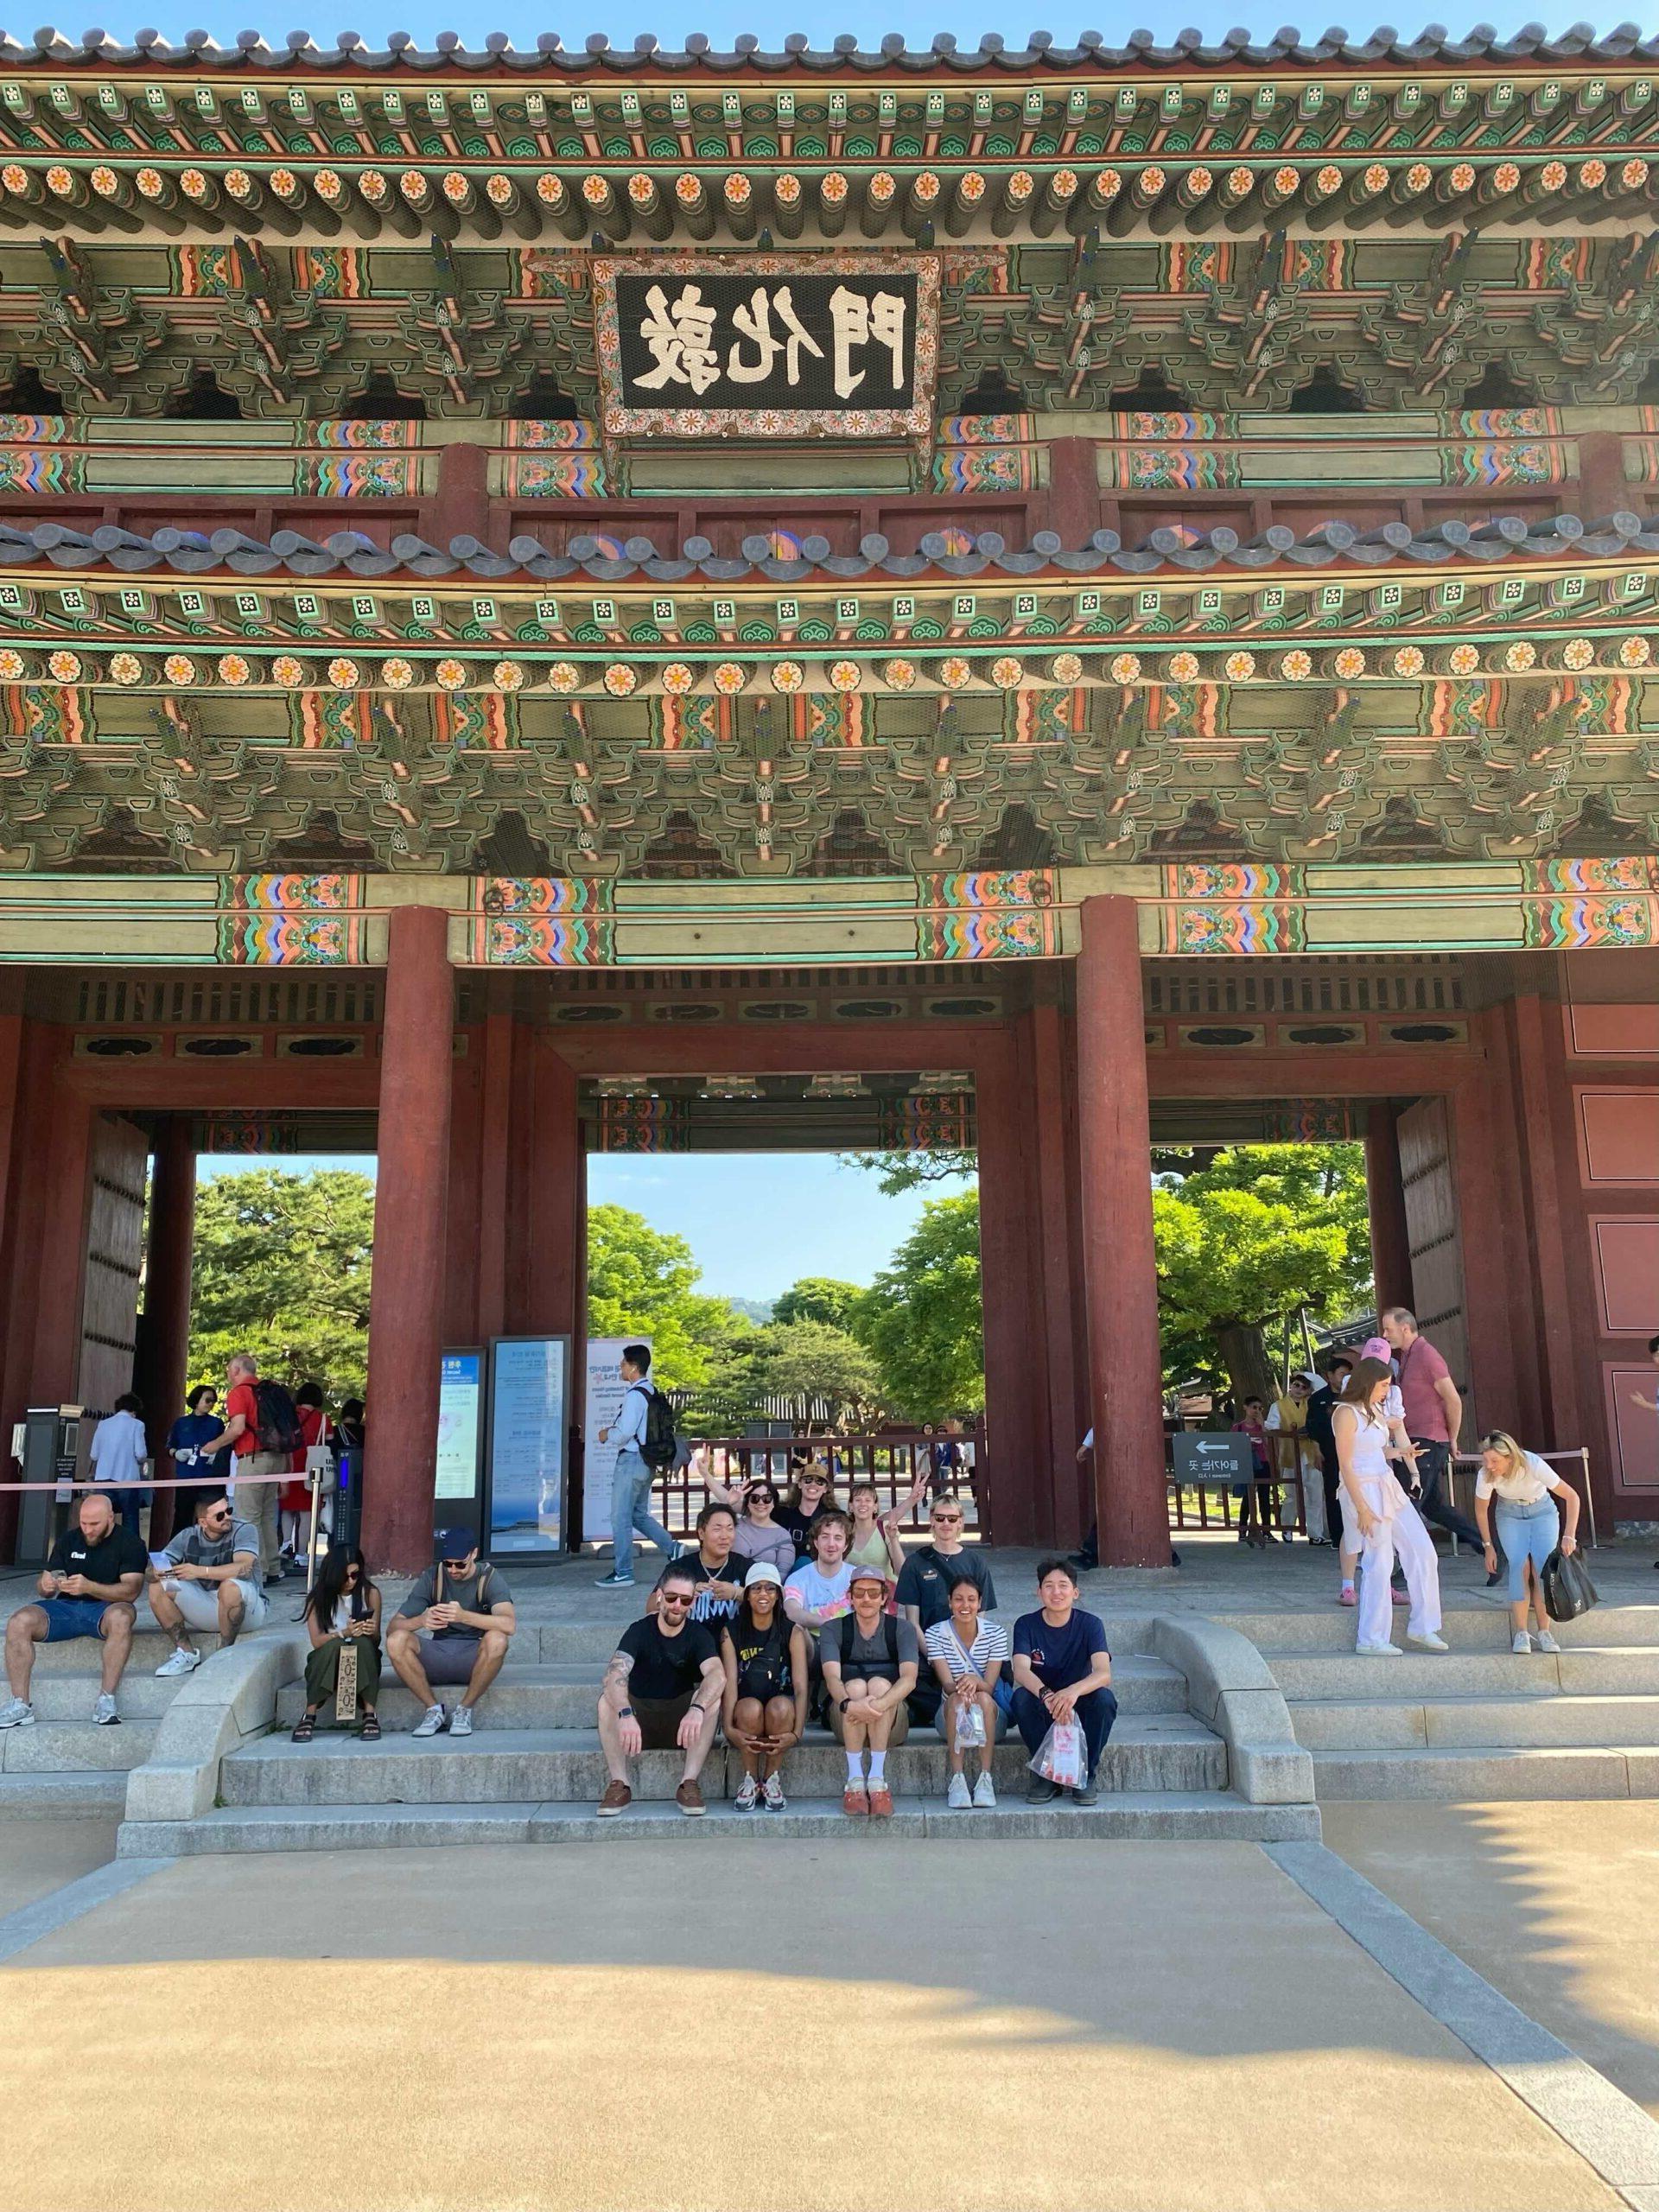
565	1764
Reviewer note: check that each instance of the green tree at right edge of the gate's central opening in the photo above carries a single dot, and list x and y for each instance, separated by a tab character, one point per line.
924	1317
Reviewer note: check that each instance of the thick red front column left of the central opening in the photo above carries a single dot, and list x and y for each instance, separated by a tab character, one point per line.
406	1302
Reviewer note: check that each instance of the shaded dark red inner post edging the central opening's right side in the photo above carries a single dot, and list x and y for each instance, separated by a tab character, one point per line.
1014	1339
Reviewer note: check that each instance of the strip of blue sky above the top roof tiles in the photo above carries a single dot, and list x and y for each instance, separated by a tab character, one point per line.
671	21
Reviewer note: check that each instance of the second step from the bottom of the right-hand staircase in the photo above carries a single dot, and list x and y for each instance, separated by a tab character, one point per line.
1477	1722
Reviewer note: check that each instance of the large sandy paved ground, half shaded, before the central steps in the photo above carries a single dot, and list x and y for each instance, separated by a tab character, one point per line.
678	2027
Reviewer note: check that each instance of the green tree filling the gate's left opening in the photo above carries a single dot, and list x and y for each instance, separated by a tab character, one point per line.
282	1271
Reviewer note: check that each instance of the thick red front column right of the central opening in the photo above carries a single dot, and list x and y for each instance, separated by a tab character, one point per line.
1120	1269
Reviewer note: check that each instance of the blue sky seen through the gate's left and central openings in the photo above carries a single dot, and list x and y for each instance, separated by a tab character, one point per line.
758	1222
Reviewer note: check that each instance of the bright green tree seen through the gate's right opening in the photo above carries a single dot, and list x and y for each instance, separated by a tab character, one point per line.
1251	1238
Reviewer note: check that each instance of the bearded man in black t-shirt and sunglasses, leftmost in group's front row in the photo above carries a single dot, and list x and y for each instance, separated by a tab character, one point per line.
662	1693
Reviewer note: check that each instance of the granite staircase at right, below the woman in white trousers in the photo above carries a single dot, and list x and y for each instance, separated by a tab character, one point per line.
1477	1722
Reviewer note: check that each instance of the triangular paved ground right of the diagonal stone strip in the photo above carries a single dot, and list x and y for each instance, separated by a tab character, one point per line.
1558	1906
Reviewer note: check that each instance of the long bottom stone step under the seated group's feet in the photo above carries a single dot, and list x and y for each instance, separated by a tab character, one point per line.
1211	1815
